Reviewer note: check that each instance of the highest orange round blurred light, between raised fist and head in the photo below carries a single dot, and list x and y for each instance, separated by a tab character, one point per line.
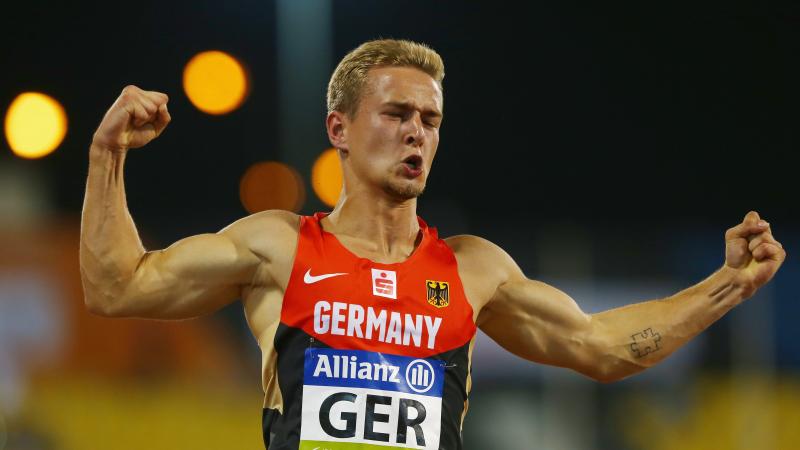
215	82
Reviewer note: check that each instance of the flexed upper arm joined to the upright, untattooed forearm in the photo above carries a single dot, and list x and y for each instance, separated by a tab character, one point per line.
192	277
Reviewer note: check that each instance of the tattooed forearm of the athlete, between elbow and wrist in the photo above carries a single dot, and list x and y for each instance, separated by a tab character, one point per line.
638	336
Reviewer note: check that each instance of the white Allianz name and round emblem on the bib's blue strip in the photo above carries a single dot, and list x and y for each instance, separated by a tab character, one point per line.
419	374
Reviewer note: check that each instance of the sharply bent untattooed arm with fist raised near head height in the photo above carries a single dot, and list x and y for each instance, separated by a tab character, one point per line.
192	277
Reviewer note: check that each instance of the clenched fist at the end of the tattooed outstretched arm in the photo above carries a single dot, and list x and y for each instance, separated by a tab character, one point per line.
751	249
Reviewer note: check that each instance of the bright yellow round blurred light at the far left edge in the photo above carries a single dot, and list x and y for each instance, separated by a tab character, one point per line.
35	125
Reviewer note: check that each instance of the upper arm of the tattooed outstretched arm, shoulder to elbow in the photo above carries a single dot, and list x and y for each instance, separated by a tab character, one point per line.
538	322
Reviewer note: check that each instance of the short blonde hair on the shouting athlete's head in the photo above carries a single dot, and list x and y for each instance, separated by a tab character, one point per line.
349	80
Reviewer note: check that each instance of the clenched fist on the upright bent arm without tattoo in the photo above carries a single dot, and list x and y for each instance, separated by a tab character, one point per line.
136	118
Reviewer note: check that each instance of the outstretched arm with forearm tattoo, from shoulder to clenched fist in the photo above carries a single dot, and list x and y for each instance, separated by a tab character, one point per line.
540	323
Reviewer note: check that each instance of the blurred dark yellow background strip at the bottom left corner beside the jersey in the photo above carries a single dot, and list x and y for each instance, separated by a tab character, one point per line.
78	413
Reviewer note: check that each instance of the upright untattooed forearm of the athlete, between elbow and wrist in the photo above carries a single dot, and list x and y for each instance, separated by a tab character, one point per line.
110	247
